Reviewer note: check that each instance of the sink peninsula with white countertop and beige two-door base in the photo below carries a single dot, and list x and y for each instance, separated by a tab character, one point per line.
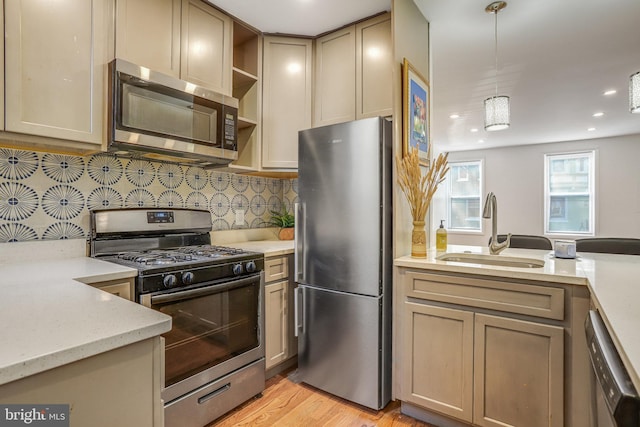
527	323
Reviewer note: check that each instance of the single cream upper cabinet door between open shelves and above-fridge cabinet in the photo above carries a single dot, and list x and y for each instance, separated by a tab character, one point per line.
286	99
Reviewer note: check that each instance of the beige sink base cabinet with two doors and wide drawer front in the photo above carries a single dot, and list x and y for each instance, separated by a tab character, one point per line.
491	352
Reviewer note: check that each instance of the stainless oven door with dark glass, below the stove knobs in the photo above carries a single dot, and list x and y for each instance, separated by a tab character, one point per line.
216	329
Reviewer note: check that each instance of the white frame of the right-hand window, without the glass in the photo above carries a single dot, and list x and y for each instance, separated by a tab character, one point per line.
562	210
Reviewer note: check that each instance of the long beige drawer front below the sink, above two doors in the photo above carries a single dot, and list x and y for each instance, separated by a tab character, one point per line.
521	298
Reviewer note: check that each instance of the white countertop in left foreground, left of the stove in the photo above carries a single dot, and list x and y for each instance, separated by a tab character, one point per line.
50	319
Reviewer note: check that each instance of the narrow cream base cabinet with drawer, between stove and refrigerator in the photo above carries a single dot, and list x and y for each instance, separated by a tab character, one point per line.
280	344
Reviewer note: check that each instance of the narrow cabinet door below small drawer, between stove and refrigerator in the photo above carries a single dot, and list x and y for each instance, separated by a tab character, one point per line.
276	329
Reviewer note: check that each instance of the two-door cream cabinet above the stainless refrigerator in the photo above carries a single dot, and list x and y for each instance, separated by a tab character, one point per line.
353	72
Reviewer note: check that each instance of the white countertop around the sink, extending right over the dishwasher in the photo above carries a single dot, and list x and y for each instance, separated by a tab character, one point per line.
613	280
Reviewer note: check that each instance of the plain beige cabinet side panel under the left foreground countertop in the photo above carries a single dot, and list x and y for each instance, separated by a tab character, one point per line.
120	387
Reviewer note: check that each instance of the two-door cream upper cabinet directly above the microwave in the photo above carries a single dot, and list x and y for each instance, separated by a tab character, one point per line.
187	39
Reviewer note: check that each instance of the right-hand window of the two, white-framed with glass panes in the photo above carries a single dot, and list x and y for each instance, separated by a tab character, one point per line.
569	193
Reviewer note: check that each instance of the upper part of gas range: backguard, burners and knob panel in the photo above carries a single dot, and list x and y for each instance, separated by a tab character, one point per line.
170	248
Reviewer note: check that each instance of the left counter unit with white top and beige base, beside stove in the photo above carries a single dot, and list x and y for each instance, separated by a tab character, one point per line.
67	342
